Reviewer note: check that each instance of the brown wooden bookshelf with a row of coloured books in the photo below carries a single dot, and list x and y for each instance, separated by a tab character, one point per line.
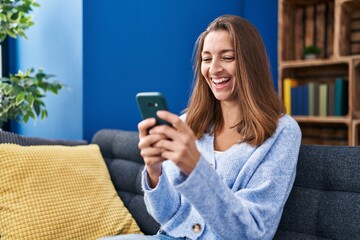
321	93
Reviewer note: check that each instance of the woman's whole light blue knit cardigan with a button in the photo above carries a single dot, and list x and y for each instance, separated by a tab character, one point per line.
239	195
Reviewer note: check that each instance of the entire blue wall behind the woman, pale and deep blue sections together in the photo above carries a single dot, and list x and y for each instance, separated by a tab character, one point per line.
128	46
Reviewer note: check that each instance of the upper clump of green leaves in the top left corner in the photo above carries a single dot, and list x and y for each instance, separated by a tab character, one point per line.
15	17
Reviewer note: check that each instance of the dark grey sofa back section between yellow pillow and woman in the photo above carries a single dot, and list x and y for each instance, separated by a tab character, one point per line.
125	164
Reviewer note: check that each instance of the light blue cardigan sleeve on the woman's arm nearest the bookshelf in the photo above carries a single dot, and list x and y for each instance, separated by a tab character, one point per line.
254	210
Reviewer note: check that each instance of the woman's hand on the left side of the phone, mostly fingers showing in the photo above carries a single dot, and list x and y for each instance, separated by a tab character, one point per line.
151	155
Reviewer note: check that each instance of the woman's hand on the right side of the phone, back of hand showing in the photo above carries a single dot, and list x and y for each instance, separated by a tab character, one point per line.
180	144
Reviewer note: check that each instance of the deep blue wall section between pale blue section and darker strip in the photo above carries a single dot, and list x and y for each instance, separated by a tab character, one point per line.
140	45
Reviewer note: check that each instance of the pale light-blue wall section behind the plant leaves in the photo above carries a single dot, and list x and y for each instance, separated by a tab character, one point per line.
55	44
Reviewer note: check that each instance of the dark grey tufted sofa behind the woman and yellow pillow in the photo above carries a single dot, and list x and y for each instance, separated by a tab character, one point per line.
324	203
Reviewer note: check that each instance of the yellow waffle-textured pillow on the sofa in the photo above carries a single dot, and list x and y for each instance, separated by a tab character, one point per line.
58	192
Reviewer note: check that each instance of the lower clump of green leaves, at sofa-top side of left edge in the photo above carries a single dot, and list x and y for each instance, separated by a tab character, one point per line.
22	94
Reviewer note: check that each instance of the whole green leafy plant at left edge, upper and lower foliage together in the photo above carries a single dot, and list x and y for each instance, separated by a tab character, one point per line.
21	94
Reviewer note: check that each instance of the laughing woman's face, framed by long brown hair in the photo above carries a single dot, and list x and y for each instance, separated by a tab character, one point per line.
218	64
